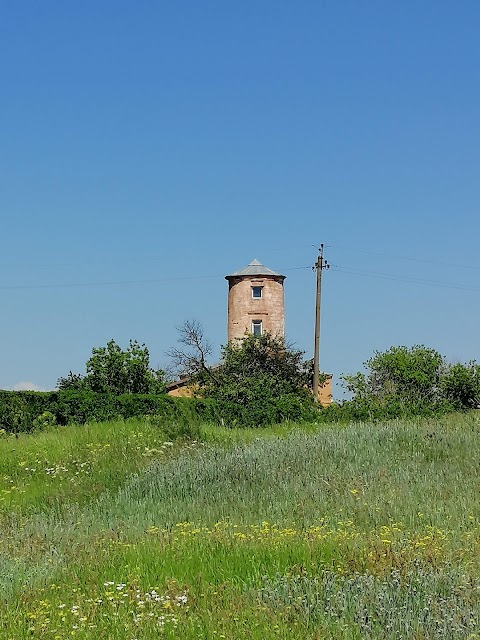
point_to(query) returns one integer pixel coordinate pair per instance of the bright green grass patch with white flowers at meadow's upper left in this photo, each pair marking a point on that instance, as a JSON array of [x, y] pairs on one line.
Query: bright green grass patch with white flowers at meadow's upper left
[[71, 465]]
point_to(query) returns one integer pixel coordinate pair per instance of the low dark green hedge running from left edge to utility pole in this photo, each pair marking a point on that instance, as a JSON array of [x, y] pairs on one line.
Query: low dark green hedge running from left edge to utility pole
[[22, 411]]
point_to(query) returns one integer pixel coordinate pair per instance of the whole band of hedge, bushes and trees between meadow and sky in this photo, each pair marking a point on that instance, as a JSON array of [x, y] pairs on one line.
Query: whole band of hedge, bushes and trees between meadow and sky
[[260, 381]]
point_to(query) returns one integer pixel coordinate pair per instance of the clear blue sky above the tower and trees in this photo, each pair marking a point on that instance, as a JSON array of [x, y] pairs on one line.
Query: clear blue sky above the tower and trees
[[148, 149]]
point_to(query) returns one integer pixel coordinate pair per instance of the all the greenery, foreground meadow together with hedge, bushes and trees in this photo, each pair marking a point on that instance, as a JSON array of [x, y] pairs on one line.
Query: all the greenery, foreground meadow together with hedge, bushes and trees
[[161, 523]]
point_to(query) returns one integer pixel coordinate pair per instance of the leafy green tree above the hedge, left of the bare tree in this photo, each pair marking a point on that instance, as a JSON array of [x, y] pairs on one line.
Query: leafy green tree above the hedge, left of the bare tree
[[113, 370]]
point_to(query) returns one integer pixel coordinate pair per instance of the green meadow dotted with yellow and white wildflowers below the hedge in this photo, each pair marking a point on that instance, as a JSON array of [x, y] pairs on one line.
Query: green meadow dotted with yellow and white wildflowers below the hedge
[[111, 531]]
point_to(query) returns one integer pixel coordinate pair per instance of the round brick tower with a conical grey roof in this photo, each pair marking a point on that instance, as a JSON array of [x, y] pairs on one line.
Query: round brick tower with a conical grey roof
[[255, 302]]
